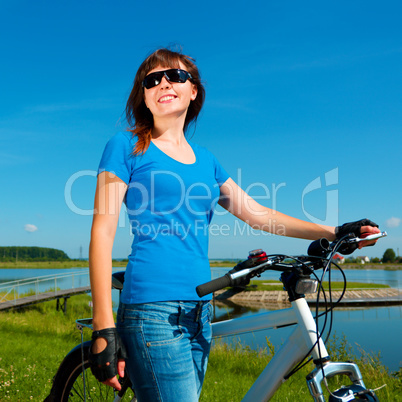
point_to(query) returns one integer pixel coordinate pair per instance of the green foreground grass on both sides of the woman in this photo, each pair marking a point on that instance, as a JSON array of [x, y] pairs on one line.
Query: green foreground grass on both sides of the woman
[[35, 340]]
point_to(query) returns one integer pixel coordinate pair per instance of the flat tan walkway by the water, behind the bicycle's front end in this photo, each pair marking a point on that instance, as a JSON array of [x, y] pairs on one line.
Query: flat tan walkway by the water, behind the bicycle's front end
[[360, 297]]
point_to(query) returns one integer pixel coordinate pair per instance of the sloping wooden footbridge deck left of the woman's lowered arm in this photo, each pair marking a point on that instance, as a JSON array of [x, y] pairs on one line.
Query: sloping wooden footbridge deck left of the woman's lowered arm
[[42, 297]]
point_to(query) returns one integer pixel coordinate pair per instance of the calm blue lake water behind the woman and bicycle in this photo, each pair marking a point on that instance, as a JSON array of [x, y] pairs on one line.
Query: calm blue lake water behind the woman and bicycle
[[375, 329]]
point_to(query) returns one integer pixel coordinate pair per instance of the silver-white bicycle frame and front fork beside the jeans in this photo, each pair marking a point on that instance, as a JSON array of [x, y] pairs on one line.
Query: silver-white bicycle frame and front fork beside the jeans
[[302, 339]]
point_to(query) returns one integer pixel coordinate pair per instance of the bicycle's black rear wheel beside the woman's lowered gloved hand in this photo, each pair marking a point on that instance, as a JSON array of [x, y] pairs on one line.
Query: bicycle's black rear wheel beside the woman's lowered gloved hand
[[68, 384]]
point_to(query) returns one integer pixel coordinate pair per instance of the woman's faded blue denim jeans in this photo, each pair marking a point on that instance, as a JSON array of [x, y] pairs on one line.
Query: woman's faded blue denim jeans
[[168, 345]]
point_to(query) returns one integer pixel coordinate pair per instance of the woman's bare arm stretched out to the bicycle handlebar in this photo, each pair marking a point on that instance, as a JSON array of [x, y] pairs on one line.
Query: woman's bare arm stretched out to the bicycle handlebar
[[244, 207]]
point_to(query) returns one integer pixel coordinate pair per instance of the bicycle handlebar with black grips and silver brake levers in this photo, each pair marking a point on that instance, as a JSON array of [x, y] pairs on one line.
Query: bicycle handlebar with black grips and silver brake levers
[[253, 266]]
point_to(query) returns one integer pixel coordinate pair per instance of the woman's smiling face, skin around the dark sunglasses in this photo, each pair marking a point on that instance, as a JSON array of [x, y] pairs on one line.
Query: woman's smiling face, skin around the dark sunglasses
[[169, 99]]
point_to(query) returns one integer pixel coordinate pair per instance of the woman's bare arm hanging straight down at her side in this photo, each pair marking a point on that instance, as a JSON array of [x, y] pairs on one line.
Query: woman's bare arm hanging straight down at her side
[[110, 192]]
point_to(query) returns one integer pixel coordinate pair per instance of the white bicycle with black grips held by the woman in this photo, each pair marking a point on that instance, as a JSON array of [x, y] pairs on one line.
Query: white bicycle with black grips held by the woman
[[74, 381]]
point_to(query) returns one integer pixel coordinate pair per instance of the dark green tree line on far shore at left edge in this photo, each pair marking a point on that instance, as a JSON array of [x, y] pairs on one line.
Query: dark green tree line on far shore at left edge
[[14, 253]]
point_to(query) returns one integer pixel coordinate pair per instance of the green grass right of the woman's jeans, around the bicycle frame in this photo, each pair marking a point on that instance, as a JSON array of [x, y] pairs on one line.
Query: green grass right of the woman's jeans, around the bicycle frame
[[232, 371]]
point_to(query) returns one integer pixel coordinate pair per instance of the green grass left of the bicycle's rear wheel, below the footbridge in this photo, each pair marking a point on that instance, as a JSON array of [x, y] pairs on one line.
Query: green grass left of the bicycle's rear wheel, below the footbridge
[[34, 341]]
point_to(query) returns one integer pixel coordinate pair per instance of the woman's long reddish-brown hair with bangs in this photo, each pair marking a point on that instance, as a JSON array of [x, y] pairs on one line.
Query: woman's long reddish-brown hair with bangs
[[138, 116]]
